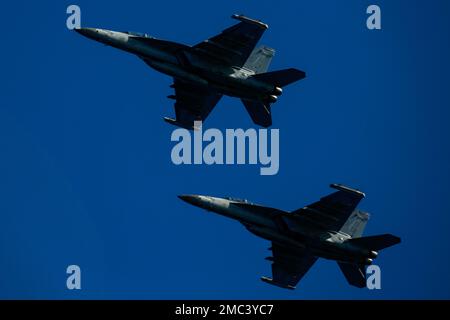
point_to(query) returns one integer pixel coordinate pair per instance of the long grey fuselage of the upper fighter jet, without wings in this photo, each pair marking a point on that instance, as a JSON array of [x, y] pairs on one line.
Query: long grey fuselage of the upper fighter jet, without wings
[[181, 62]]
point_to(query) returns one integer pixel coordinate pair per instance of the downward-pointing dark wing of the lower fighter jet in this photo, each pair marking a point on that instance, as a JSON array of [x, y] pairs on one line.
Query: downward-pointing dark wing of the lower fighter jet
[[288, 266]]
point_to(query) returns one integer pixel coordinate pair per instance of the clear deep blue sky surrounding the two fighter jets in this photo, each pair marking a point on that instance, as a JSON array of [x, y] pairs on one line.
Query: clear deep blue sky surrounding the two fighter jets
[[85, 170]]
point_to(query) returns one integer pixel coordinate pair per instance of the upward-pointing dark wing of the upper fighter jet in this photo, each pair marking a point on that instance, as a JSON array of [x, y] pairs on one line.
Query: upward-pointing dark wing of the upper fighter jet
[[234, 45]]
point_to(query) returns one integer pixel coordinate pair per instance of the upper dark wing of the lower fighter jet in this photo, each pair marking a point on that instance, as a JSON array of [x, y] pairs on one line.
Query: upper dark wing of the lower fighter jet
[[331, 212]]
